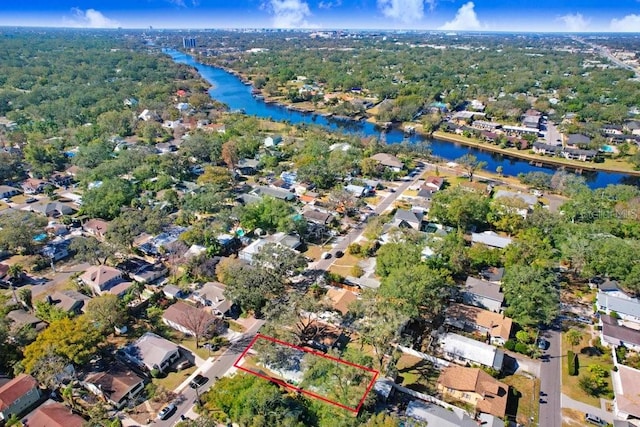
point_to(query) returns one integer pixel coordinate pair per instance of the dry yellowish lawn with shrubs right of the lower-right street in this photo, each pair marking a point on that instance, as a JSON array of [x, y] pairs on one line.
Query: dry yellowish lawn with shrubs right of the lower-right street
[[587, 355]]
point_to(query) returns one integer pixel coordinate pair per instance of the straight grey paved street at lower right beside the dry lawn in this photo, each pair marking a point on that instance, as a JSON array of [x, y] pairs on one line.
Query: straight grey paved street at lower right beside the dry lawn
[[550, 377]]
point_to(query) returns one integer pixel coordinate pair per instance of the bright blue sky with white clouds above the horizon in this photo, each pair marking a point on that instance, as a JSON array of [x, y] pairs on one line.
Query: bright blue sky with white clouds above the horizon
[[453, 15]]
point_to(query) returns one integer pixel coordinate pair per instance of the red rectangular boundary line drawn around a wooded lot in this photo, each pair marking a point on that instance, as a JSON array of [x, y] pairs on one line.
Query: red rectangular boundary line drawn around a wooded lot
[[298, 389]]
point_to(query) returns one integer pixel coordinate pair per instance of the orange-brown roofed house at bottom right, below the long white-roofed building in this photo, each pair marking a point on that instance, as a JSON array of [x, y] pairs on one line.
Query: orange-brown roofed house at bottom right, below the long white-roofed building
[[475, 387]]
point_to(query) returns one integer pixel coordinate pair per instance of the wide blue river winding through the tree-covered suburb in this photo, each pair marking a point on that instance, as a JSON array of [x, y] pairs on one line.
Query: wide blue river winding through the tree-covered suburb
[[229, 89]]
